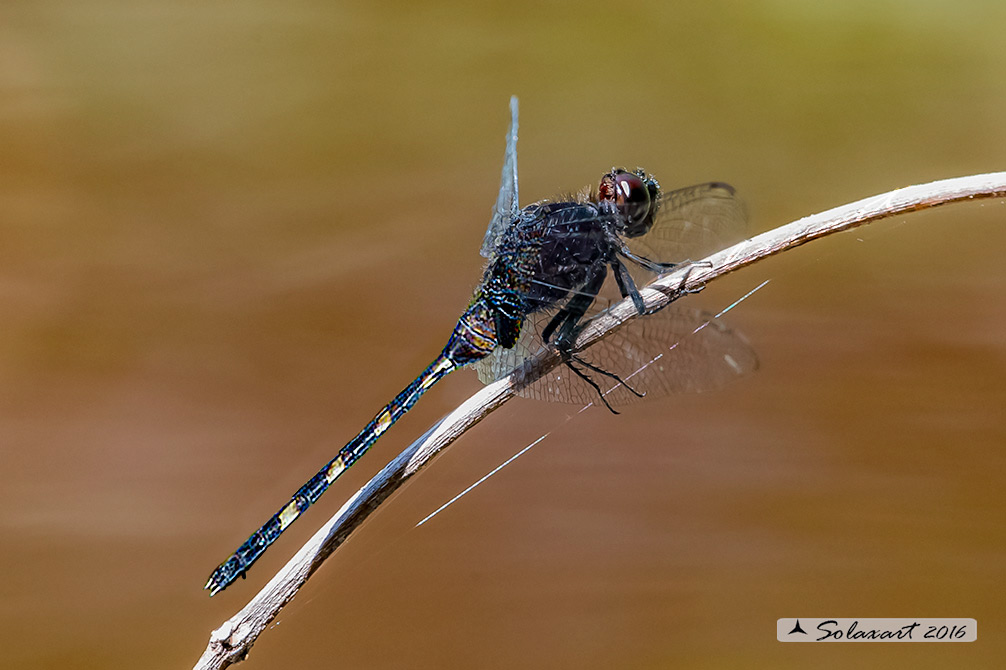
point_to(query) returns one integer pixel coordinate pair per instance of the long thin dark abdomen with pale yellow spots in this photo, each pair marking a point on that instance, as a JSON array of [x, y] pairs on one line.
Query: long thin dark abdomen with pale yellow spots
[[257, 545]]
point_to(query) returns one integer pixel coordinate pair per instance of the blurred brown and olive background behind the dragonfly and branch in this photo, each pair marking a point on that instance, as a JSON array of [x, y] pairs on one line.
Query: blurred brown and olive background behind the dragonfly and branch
[[230, 233]]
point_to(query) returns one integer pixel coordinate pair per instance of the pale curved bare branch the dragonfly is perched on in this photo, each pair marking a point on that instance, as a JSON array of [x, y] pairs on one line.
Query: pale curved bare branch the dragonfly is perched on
[[232, 642]]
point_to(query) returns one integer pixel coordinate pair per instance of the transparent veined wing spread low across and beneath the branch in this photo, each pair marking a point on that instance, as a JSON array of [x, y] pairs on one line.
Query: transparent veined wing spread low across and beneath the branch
[[677, 351]]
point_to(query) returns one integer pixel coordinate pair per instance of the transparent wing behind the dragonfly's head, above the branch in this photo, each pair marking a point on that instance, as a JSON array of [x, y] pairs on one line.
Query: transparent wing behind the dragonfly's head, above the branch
[[694, 223]]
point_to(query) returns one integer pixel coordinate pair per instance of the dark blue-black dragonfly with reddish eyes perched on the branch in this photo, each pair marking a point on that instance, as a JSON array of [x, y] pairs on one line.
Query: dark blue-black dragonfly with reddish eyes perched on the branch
[[547, 267]]
